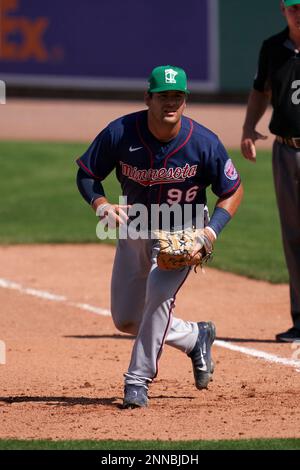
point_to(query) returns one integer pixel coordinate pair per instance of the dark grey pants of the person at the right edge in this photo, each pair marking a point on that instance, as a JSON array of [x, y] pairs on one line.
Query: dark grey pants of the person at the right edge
[[286, 171]]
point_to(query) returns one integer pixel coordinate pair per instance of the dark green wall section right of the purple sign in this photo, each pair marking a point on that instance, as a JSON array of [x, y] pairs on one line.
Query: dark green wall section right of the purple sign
[[243, 27]]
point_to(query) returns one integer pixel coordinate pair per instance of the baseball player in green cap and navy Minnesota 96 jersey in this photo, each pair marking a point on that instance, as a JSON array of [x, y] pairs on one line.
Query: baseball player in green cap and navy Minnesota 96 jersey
[[160, 157]]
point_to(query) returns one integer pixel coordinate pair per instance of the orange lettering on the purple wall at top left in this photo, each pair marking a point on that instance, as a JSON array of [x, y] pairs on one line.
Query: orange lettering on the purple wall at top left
[[30, 31]]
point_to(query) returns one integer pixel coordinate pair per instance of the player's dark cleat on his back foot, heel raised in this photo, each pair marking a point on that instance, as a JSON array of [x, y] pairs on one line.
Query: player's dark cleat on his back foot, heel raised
[[203, 365]]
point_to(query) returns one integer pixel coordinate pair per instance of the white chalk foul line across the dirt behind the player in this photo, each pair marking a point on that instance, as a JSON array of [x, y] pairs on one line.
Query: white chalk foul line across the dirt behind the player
[[5, 284]]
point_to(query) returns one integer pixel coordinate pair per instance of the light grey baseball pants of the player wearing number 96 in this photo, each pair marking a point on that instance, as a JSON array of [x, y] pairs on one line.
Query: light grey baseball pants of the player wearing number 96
[[142, 301]]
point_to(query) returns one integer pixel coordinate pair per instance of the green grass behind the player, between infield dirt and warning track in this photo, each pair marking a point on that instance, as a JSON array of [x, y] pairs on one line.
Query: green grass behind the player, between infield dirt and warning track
[[41, 204]]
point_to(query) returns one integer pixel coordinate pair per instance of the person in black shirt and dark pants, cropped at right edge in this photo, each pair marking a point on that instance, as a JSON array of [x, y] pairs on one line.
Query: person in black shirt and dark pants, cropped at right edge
[[278, 81]]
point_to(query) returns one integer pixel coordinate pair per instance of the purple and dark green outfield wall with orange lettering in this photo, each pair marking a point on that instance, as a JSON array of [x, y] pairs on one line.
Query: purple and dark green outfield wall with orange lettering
[[114, 44]]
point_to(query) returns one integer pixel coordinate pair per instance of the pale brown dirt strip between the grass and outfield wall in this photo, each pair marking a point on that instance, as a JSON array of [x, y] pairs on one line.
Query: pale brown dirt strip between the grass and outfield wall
[[82, 120]]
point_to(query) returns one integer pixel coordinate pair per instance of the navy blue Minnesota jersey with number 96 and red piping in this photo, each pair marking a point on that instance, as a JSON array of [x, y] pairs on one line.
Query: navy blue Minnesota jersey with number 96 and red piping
[[154, 172]]
